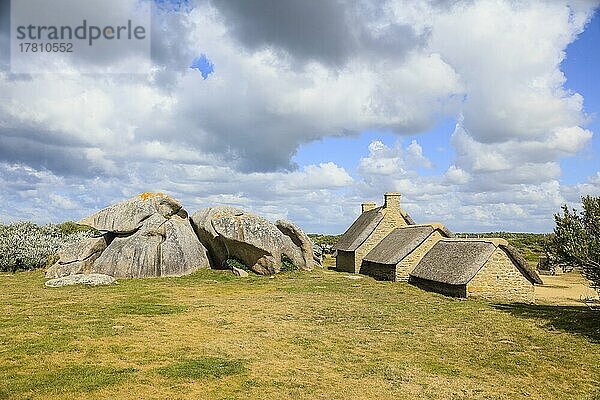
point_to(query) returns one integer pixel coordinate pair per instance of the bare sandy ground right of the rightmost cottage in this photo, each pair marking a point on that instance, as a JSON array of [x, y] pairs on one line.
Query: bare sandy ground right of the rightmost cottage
[[564, 289]]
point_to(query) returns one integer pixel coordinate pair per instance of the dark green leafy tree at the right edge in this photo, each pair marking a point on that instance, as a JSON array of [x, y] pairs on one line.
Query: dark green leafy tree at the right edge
[[576, 239]]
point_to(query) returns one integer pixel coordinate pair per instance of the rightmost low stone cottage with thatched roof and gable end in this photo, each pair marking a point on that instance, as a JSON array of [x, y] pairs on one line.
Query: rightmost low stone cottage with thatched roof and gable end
[[486, 268]]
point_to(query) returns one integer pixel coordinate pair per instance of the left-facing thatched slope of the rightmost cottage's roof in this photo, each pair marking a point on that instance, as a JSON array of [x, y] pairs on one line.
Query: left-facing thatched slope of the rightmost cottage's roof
[[454, 262]]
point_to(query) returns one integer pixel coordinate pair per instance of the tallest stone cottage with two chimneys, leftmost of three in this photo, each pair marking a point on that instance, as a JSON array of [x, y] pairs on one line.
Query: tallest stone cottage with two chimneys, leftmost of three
[[371, 227]]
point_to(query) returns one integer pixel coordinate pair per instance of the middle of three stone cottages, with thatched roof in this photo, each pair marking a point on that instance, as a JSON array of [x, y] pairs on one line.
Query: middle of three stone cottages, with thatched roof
[[400, 251]]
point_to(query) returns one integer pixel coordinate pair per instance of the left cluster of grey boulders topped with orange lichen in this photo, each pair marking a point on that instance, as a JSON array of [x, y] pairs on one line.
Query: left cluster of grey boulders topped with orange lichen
[[149, 235]]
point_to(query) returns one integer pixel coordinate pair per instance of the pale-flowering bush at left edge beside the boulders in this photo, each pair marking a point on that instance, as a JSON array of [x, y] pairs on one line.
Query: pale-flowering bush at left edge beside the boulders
[[26, 246]]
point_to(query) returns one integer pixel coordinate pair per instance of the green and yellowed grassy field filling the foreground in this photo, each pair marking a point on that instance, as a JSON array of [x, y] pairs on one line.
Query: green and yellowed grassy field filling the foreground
[[296, 336]]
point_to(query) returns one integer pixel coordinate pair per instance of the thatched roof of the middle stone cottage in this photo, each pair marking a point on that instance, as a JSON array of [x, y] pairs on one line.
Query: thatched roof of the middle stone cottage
[[401, 242]]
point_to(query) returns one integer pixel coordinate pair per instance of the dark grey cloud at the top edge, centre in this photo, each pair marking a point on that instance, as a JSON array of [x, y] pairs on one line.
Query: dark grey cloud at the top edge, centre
[[330, 31]]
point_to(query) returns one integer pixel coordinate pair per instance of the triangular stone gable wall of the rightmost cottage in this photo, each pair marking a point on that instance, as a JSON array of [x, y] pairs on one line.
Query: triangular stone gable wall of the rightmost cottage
[[499, 279]]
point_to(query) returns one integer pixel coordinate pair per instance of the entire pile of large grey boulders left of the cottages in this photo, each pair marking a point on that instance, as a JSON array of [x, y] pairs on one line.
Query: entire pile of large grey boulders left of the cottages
[[151, 235]]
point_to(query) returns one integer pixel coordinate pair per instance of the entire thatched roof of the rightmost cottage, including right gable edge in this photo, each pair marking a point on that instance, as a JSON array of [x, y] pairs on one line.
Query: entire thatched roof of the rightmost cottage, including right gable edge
[[457, 261]]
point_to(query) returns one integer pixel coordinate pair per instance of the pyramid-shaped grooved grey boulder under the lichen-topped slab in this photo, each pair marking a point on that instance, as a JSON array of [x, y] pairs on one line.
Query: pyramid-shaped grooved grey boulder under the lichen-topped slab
[[161, 247]]
